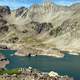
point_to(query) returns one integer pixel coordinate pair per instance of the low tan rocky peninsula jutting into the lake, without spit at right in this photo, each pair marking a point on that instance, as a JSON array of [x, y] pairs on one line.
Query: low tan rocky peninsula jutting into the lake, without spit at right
[[39, 51]]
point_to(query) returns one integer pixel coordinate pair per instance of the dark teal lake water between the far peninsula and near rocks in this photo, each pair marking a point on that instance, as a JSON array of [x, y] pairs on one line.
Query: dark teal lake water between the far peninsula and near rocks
[[69, 65]]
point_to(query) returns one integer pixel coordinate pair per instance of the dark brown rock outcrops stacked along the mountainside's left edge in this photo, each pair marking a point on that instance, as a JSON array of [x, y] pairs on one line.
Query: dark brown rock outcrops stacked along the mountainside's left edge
[[4, 11]]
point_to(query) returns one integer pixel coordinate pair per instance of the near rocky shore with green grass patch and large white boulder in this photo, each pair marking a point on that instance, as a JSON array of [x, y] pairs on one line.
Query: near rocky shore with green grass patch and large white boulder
[[32, 74]]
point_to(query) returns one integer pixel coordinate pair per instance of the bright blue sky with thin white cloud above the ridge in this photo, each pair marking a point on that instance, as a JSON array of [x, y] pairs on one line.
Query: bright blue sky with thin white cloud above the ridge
[[13, 4]]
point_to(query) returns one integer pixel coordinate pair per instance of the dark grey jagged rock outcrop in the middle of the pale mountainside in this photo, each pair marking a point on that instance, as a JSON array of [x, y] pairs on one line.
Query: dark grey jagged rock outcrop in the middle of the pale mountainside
[[40, 27]]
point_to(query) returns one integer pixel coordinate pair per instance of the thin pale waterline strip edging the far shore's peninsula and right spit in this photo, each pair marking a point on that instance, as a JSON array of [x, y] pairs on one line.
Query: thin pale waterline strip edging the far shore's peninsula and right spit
[[51, 55]]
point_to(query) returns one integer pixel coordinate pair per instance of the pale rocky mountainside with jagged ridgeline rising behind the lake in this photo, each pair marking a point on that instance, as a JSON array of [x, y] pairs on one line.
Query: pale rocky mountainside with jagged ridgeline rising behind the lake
[[45, 24]]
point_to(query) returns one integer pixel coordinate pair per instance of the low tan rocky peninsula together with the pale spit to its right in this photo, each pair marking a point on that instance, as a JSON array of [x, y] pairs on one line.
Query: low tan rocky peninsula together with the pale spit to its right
[[52, 52]]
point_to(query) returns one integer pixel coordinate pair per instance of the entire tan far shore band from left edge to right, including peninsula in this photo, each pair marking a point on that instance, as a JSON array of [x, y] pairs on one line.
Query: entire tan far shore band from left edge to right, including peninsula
[[24, 50]]
